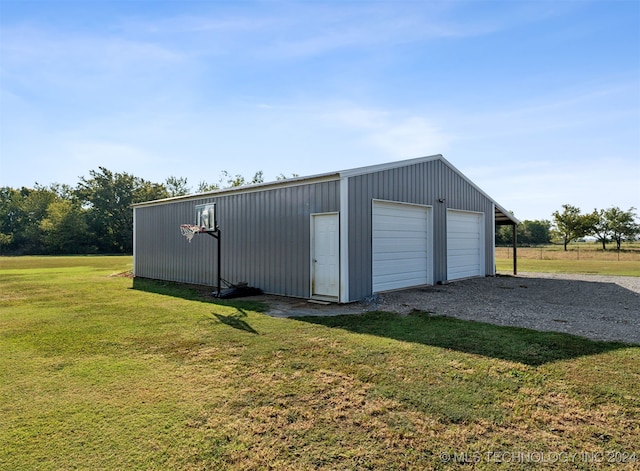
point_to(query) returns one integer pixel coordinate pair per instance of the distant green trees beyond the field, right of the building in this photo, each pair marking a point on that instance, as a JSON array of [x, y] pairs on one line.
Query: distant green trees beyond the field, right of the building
[[570, 224]]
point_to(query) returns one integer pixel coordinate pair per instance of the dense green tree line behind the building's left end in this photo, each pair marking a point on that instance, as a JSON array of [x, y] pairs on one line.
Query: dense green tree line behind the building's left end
[[94, 217]]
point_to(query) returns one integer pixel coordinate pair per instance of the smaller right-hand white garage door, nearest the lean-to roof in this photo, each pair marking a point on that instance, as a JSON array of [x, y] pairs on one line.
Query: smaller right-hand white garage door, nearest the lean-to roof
[[465, 244]]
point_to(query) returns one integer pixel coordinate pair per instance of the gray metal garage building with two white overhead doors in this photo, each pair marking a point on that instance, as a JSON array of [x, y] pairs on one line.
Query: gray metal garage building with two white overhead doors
[[338, 236]]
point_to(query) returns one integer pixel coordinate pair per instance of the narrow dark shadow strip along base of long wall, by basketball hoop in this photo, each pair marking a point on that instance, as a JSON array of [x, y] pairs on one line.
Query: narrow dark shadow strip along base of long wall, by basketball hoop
[[195, 293]]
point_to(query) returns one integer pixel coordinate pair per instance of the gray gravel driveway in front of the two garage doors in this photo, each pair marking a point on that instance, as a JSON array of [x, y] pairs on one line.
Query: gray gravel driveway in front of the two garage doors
[[593, 306]]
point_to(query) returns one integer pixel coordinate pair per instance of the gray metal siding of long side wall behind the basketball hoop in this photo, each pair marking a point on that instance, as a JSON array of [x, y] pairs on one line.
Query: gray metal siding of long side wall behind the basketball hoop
[[265, 238]]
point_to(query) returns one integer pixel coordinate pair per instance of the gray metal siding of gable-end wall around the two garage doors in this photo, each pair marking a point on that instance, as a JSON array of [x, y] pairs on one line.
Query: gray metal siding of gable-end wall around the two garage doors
[[422, 183]]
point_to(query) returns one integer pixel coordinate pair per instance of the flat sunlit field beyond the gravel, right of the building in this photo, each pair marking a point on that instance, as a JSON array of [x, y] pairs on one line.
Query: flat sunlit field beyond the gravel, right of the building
[[579, 258]]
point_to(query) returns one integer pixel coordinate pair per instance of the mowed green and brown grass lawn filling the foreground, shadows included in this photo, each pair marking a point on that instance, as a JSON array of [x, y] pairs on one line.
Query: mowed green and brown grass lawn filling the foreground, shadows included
[[99, 372]]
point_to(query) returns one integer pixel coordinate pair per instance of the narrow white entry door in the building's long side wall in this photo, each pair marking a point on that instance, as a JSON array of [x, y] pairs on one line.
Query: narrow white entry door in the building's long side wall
[[325, 256]]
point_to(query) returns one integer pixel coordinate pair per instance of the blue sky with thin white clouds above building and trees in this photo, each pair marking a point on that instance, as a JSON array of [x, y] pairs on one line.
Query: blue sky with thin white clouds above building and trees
[[538, 102]]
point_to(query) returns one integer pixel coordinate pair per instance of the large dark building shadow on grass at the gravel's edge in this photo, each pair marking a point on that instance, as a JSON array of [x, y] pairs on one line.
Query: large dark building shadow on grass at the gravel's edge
[[516, 344]]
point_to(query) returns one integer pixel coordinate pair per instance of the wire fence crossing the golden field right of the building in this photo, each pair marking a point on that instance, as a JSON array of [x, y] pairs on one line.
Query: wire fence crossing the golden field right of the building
[[574, 252]]
